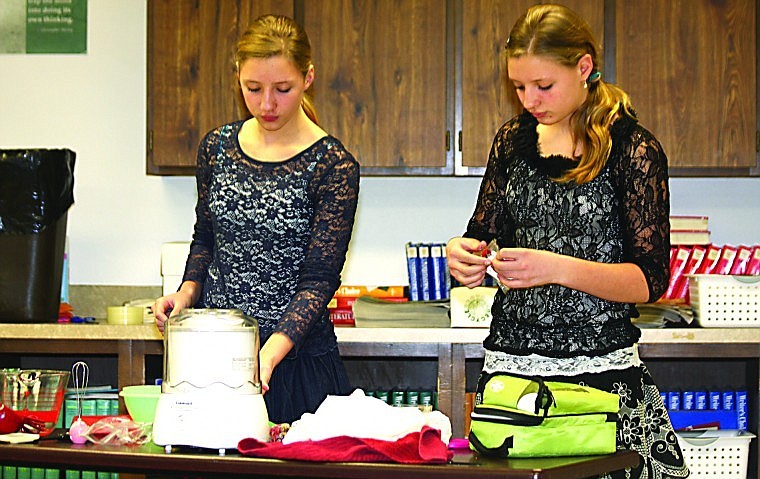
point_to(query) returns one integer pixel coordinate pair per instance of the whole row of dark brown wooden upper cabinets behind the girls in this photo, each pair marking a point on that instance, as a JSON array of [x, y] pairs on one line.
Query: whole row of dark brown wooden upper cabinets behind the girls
[[418, 87]]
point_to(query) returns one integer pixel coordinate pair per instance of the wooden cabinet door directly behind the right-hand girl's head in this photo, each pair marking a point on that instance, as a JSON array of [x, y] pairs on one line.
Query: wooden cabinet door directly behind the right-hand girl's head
[[487, 100]]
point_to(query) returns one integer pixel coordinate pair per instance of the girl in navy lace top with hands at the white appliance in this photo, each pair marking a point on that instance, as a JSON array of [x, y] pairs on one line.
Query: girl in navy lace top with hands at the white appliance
[[276, 202]]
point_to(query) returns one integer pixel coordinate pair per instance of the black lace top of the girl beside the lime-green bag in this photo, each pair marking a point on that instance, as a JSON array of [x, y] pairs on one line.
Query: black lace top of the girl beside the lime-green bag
[[620, 216]]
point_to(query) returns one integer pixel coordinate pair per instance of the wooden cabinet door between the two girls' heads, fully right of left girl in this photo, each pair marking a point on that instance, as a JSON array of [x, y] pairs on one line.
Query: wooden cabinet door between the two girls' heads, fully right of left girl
[[381, 78]]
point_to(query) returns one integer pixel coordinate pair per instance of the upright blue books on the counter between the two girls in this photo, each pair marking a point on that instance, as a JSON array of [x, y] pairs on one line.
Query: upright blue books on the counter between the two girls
[[428, 270]]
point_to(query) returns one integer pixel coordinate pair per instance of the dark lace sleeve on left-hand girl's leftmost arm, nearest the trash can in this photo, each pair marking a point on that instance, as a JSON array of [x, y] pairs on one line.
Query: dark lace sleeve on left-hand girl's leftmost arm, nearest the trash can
[[202, 245]]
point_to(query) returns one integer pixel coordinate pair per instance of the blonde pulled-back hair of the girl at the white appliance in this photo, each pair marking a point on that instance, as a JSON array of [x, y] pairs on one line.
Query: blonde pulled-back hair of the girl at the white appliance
[[273, 35]]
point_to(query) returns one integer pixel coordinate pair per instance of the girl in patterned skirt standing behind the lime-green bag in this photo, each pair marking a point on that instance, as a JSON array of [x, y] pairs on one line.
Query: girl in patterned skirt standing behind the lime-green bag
[[574, 206]]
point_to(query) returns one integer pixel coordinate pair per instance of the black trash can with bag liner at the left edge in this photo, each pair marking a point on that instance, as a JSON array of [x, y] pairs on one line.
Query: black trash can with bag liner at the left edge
[[36, 191]]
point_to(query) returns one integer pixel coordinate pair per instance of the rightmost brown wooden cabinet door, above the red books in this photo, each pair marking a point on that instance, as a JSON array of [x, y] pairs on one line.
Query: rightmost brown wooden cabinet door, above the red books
[[690, 68]]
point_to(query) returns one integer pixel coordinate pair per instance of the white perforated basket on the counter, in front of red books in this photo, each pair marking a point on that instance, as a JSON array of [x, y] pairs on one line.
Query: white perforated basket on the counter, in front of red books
[[725, 301]]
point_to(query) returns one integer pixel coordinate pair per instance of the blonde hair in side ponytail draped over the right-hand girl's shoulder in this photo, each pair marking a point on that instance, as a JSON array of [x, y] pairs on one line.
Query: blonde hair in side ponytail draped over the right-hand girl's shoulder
[[557, 33]]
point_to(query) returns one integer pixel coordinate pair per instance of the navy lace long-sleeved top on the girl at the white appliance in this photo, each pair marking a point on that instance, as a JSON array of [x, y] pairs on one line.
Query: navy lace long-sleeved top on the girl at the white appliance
[[271, 237]]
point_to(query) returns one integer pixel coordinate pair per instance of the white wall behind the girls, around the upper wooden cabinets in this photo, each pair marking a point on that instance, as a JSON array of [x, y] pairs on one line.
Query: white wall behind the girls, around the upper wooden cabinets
[[95, 105]]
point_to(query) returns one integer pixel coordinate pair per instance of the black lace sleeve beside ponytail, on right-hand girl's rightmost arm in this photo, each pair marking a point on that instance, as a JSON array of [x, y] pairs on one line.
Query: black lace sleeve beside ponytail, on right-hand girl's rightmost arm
[[640, 168]]
